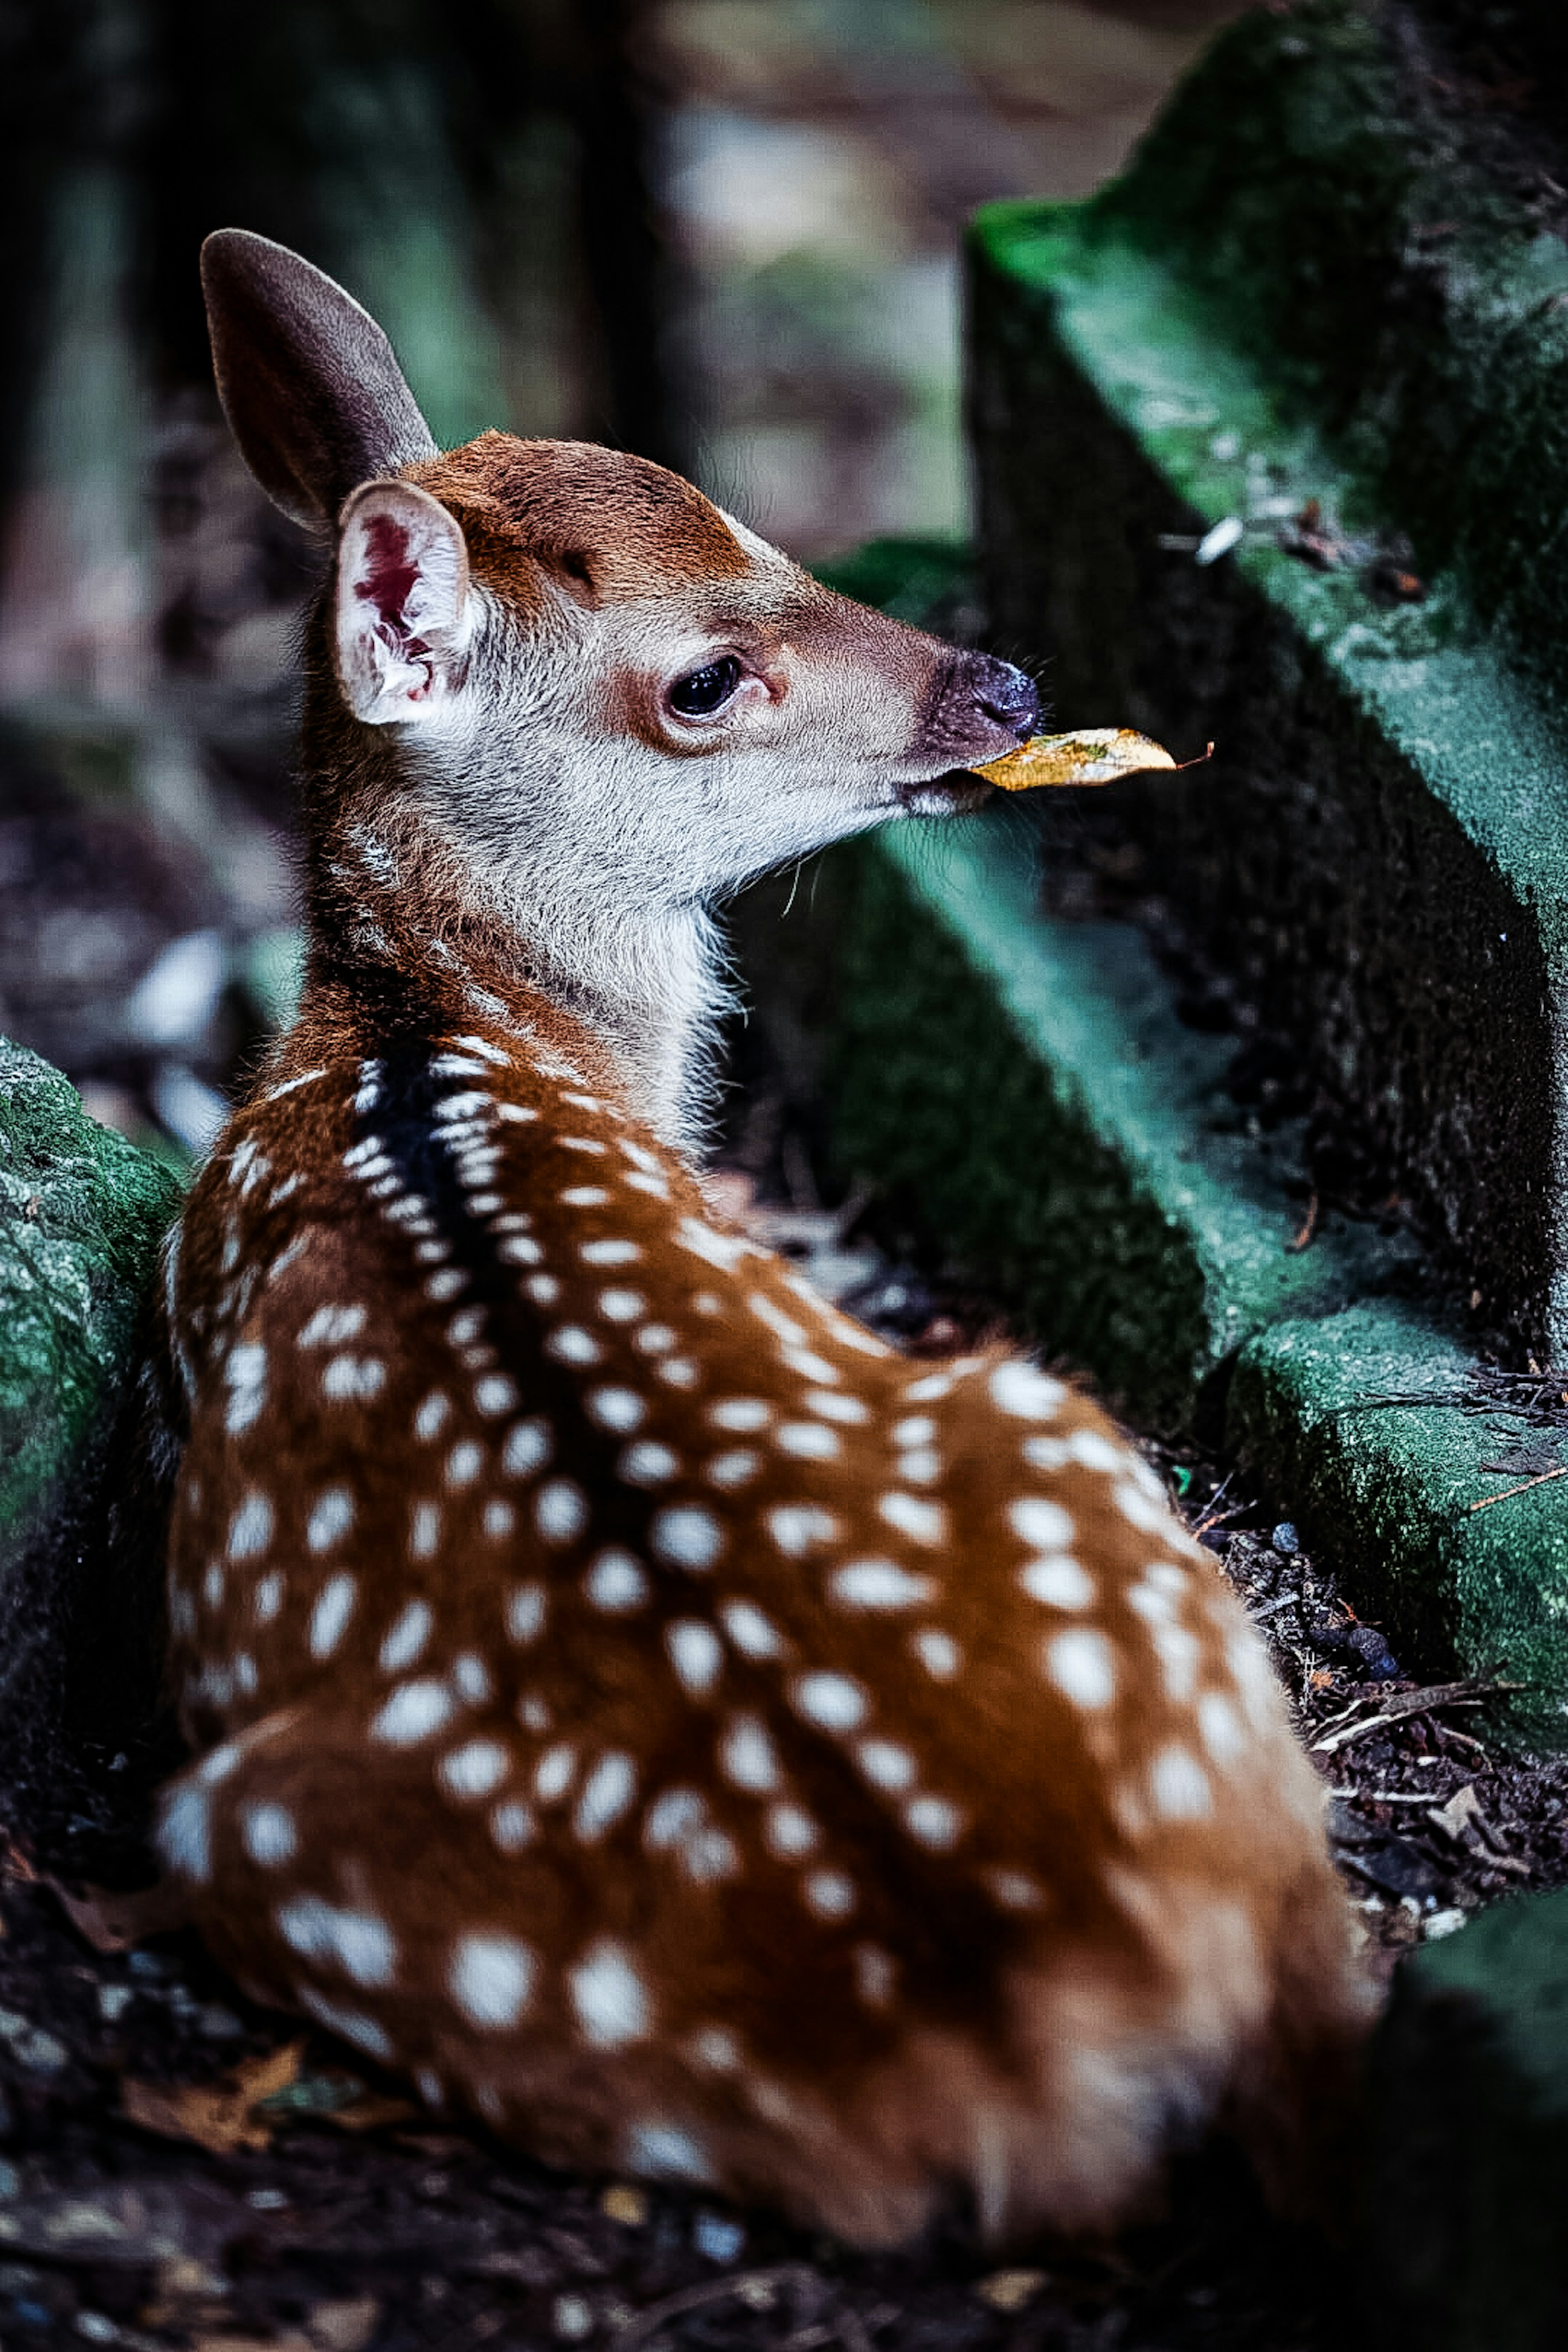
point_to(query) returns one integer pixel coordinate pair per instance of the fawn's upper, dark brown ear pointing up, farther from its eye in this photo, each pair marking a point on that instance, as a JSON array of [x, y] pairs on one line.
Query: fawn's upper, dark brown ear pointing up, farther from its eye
[[307, 377]]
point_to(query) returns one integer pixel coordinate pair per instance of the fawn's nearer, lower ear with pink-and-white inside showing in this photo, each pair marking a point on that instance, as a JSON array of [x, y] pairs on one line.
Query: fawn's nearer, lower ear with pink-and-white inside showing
[[403, 606]]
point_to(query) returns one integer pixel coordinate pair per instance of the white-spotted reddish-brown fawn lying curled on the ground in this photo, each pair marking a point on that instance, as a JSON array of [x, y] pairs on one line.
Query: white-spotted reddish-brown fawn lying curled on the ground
[[626, 1695]]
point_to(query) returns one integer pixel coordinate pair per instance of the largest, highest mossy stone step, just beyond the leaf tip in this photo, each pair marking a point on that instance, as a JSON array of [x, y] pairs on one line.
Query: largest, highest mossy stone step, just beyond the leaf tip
[[1308, 295]]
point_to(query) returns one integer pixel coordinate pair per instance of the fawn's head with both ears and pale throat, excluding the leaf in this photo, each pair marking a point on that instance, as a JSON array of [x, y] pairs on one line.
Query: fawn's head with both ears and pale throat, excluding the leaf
[[579, 697]]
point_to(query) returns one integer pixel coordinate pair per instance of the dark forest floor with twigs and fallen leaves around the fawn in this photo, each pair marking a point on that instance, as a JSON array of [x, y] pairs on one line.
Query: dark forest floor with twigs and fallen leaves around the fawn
[[185, 2170]]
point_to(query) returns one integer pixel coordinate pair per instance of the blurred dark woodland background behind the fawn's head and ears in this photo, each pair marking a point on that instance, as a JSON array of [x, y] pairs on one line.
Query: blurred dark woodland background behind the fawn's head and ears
[[723, 234]]
